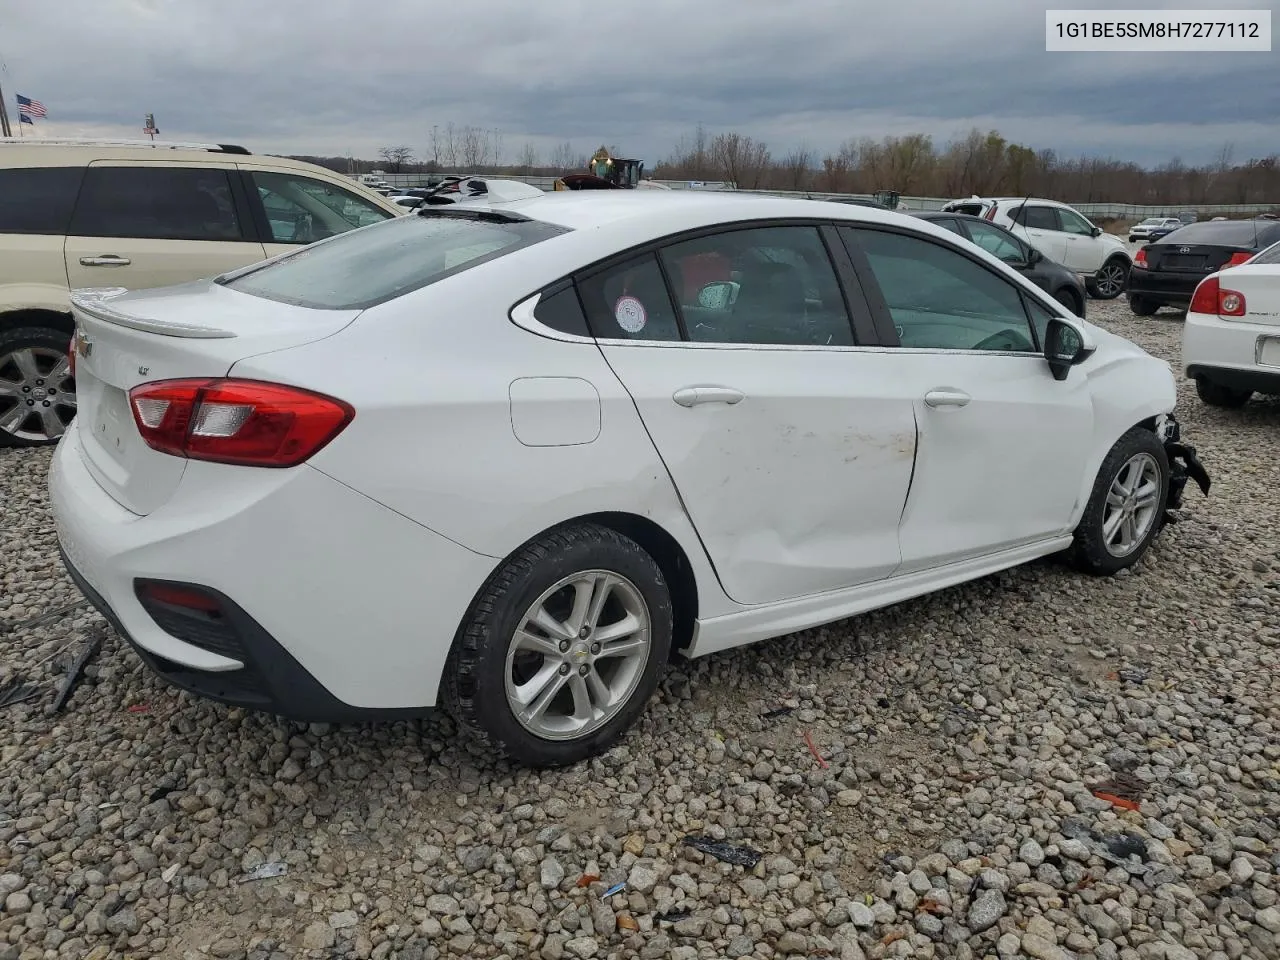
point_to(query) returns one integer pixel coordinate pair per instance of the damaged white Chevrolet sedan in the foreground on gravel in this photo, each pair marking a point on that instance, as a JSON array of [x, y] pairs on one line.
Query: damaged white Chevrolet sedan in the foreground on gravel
[[510, 459]]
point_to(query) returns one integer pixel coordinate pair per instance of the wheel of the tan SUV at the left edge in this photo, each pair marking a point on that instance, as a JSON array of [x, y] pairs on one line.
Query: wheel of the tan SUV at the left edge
[[28, 355]]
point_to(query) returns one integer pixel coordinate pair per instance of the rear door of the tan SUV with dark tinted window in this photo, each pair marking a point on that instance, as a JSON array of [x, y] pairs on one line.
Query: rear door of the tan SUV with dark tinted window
[[143, 223]]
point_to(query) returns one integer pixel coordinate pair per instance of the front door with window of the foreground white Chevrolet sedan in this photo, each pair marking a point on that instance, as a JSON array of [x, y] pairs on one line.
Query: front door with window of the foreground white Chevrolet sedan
[[1002, 442]]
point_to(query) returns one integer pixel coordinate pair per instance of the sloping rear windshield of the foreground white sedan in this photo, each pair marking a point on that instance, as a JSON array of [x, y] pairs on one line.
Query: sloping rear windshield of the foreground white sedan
[[374, 264]]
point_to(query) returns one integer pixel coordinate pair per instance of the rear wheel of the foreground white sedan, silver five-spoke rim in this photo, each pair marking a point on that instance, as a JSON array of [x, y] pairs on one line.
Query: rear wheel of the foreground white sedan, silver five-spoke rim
[[499, 648]]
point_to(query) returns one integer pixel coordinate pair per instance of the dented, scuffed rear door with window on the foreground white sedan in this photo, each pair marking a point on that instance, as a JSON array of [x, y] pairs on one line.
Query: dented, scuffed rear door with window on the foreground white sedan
[[792, 449]]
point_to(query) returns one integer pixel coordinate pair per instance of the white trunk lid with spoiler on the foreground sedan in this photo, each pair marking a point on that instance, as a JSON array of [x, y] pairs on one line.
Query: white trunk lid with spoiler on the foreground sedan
[[194, 330]]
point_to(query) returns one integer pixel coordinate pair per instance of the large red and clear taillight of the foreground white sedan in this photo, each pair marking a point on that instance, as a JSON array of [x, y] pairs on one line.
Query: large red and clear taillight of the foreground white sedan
[[237, 422]]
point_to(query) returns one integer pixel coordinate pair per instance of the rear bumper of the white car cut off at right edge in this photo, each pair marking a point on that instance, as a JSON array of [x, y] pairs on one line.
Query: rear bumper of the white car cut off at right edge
[[1232, 354]]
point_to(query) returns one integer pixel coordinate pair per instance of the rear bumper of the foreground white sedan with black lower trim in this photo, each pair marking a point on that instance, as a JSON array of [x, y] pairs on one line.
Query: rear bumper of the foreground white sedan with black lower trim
[[335, 607]]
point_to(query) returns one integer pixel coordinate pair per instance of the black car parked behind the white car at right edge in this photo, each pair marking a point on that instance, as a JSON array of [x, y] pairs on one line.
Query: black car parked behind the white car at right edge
[[1168, 272]]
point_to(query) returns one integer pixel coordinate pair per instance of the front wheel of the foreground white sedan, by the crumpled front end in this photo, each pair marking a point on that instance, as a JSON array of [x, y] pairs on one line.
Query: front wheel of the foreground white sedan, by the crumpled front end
[[1133, 464]]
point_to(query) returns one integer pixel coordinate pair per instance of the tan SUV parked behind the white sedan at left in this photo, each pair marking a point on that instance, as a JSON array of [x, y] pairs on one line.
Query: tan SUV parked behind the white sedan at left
[[136, 214]]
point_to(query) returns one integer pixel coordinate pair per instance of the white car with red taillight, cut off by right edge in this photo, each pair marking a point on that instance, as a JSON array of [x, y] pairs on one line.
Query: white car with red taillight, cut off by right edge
[[1232, 333]]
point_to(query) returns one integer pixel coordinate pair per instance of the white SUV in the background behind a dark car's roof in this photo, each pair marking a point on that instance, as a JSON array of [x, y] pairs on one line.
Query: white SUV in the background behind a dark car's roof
[[1060, 234]]
